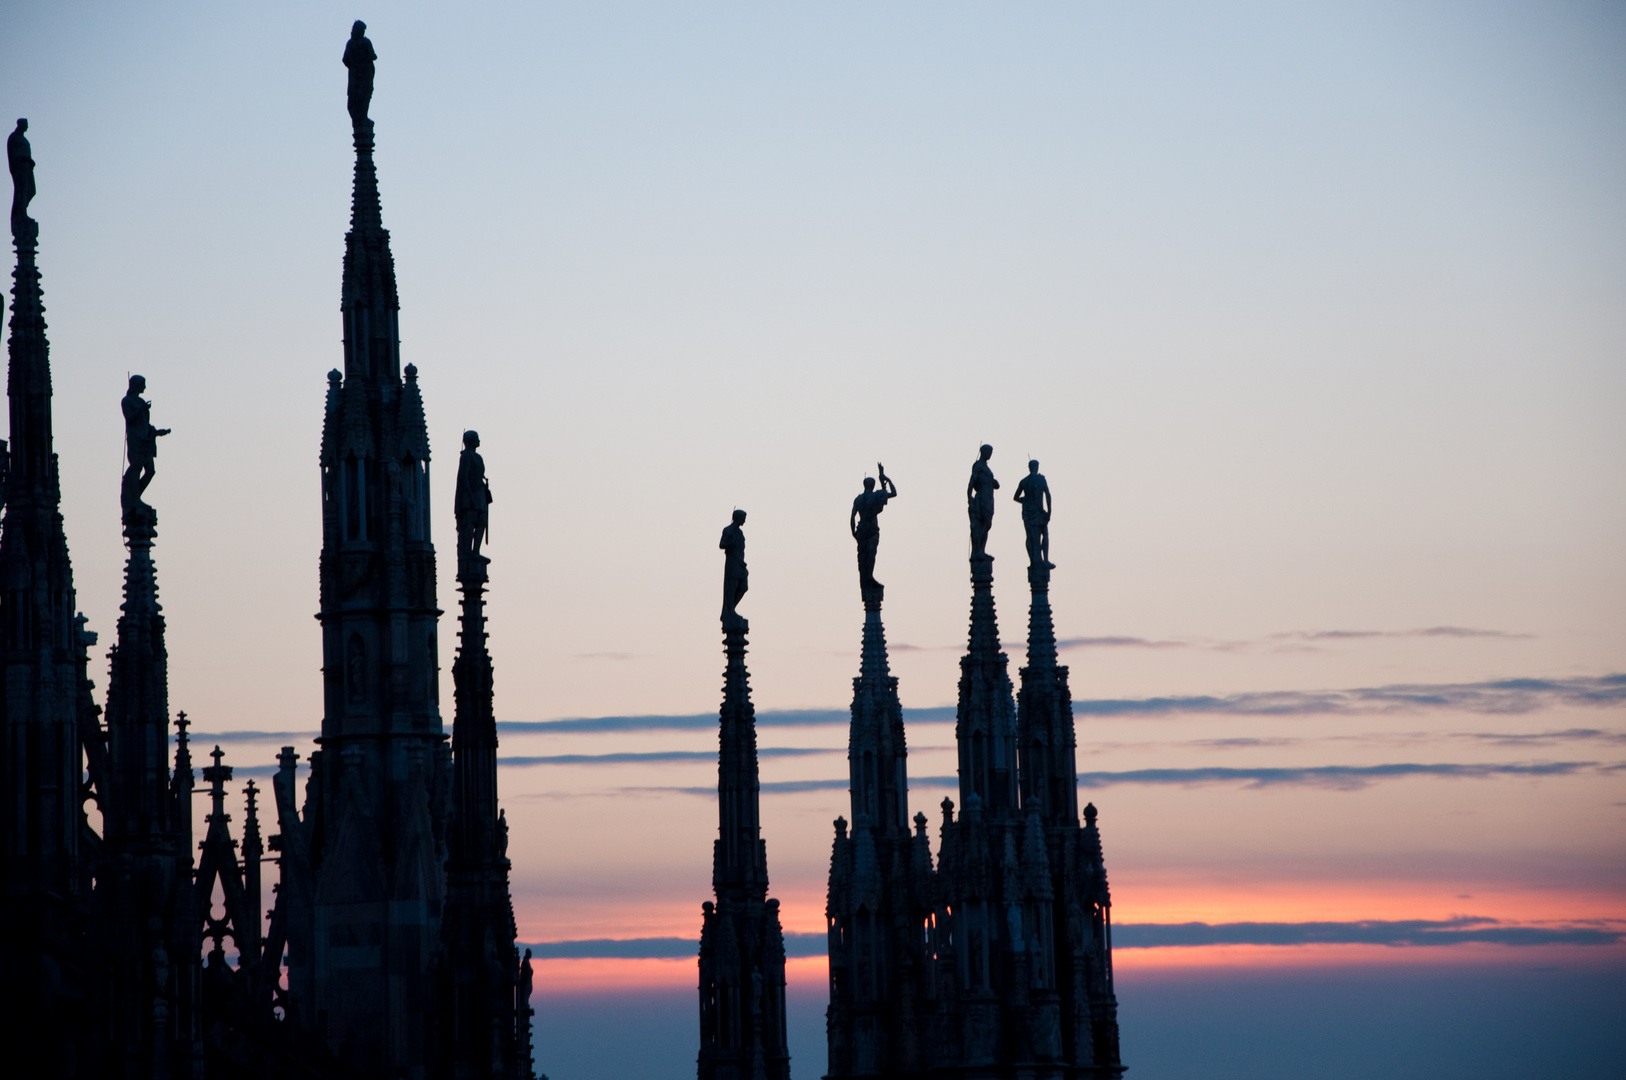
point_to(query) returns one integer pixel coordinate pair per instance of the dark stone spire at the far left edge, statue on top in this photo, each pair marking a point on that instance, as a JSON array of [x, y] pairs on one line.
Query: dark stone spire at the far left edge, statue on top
[[45, 689]]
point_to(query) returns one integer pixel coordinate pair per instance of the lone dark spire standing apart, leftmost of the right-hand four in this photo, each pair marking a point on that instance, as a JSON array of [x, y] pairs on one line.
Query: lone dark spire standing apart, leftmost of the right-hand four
[[742, 946]]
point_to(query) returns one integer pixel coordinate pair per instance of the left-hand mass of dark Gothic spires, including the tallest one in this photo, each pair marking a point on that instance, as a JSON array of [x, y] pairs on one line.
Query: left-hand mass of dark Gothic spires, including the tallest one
[[391, 946]]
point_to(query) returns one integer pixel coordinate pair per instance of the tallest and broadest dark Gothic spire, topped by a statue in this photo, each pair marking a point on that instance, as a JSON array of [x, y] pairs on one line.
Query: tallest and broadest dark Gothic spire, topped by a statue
[[370, 847]]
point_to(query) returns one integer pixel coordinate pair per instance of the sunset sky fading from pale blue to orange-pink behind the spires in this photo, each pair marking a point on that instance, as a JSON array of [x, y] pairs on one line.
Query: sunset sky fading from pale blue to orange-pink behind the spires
[[1311, 315]]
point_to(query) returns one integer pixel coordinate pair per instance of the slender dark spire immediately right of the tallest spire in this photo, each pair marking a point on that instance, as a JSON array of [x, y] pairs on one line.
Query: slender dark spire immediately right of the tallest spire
[[487, 1022]]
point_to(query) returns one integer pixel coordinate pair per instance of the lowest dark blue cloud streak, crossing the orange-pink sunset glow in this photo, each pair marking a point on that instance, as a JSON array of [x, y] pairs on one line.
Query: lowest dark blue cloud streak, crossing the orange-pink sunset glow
[[1396, 933]]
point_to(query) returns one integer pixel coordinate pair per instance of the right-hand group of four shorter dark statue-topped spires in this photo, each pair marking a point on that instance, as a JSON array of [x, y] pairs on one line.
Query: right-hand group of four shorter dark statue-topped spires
[[994, 964]]
